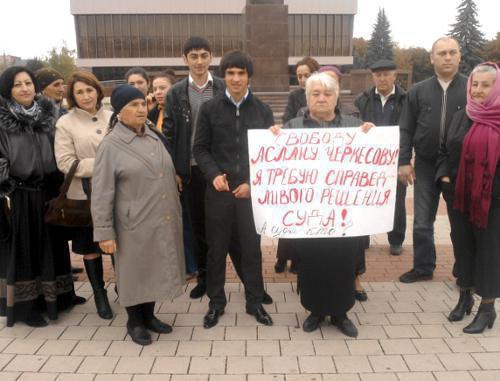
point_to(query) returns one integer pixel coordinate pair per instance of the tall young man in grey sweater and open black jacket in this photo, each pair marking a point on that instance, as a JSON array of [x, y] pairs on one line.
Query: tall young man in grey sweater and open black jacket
[[182, 107]]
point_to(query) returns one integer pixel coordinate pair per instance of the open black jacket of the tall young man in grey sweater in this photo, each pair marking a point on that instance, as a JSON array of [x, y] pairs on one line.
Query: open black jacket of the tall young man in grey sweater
[[177, 124]]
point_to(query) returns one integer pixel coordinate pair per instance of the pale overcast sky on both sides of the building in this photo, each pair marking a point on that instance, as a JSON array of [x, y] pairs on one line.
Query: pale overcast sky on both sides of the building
[[30, 28]]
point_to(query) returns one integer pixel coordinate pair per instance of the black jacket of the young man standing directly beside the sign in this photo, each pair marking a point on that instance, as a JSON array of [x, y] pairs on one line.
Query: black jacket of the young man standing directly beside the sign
[[221, 142]]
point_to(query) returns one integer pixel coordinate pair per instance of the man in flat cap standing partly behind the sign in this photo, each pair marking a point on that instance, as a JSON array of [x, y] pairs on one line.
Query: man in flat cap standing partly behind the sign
[[382, 105]]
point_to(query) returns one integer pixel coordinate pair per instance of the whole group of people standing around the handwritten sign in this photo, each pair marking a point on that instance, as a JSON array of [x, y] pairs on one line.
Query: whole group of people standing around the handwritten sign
[[167, 173]]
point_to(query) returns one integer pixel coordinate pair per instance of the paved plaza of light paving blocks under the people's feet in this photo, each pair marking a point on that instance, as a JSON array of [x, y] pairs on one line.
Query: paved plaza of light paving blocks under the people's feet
[[403, 335]]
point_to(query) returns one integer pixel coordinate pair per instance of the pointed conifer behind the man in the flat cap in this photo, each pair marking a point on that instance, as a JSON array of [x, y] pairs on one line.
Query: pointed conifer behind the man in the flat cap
[[380, 45]]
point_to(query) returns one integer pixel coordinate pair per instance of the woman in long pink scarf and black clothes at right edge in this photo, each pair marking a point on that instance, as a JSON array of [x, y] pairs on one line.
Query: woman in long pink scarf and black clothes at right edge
[[468, 170]]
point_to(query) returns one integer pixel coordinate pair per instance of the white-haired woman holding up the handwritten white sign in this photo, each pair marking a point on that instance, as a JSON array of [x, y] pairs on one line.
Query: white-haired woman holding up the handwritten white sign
[[327, 265]]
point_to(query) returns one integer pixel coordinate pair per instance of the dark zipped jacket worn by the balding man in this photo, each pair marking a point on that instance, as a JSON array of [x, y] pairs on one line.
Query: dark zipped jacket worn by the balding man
[[427, 112]]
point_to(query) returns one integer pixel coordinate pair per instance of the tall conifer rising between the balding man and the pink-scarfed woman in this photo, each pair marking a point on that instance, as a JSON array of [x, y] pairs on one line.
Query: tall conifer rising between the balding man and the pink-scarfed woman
[[470, 38]]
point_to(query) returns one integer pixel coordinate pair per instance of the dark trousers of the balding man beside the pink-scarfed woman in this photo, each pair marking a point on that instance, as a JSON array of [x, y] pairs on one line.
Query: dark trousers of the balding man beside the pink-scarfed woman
[[425, 205]]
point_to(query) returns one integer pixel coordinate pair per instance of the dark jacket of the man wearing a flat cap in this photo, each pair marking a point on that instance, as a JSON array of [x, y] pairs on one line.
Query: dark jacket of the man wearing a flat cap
[[366, 104]]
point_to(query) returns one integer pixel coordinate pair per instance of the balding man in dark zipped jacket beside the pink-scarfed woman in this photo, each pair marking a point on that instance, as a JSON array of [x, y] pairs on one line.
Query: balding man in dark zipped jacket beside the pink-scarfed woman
[[428, 110]]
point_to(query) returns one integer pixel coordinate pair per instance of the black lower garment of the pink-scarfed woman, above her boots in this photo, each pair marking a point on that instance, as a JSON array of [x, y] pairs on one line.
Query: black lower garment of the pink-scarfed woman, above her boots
[[476, 250]]
